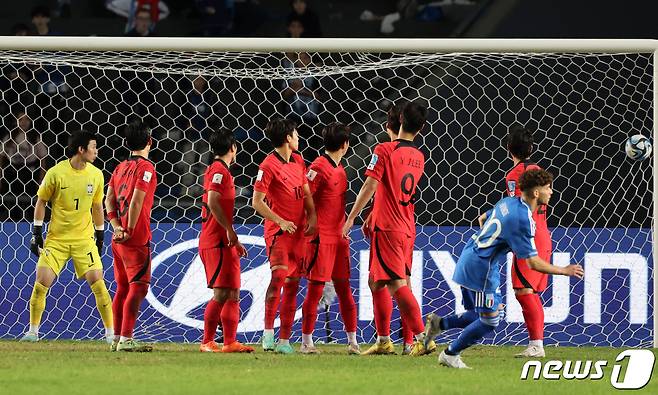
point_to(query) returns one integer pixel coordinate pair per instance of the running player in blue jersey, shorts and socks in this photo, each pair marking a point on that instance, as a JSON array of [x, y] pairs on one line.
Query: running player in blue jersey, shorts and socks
[[508, 227]]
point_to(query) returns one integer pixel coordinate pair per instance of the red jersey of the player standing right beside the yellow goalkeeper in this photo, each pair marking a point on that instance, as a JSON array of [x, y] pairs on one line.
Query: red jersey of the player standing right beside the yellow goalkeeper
[[135, 173]]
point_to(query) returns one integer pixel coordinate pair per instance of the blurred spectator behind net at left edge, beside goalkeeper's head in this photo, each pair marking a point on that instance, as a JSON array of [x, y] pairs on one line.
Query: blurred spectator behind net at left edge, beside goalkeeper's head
[[22, 160]]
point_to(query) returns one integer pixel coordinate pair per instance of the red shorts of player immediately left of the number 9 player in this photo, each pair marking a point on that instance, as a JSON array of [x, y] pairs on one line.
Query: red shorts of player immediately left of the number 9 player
[[327, 261]]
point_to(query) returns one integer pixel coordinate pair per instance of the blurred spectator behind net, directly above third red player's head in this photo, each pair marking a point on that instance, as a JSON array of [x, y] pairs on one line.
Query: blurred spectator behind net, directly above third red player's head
[[300, 92]]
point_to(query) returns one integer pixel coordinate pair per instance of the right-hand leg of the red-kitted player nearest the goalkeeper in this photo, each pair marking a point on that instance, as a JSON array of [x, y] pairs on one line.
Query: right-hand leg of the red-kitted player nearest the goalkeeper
[[137, 261]]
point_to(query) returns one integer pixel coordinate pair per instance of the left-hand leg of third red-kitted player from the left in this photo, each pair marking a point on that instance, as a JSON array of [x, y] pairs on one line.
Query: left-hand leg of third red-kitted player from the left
[[278, 265]]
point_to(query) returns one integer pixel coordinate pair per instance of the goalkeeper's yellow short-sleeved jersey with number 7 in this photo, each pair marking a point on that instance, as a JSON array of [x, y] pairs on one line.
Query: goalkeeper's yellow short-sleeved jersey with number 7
[[71, 193]]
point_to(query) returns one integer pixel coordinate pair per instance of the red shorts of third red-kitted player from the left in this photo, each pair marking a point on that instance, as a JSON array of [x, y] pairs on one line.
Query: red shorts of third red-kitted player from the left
[[284, 249]]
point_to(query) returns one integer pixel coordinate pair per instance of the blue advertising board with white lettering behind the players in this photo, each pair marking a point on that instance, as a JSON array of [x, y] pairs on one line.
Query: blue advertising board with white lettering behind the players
[[611, 306]]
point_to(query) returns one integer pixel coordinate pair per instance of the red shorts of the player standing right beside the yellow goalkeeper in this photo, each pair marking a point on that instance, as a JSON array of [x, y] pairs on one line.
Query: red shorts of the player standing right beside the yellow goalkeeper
[[132, 263]]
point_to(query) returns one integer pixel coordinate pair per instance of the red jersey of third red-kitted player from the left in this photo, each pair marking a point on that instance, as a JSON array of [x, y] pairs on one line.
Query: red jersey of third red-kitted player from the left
[[282, 183]]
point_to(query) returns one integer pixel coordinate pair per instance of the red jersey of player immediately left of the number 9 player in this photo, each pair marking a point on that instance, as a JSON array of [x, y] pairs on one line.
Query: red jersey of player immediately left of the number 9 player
[[328, 183]]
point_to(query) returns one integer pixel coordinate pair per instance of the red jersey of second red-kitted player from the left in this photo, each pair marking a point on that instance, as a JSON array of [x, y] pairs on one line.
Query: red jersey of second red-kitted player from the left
[[217, 178]]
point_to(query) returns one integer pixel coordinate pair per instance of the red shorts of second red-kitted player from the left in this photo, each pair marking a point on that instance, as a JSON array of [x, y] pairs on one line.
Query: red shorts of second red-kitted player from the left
[[222, 267]]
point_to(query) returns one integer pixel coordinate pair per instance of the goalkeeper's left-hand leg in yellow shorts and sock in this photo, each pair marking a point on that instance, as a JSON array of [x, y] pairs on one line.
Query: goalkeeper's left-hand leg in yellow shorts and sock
[[51, 261]]
